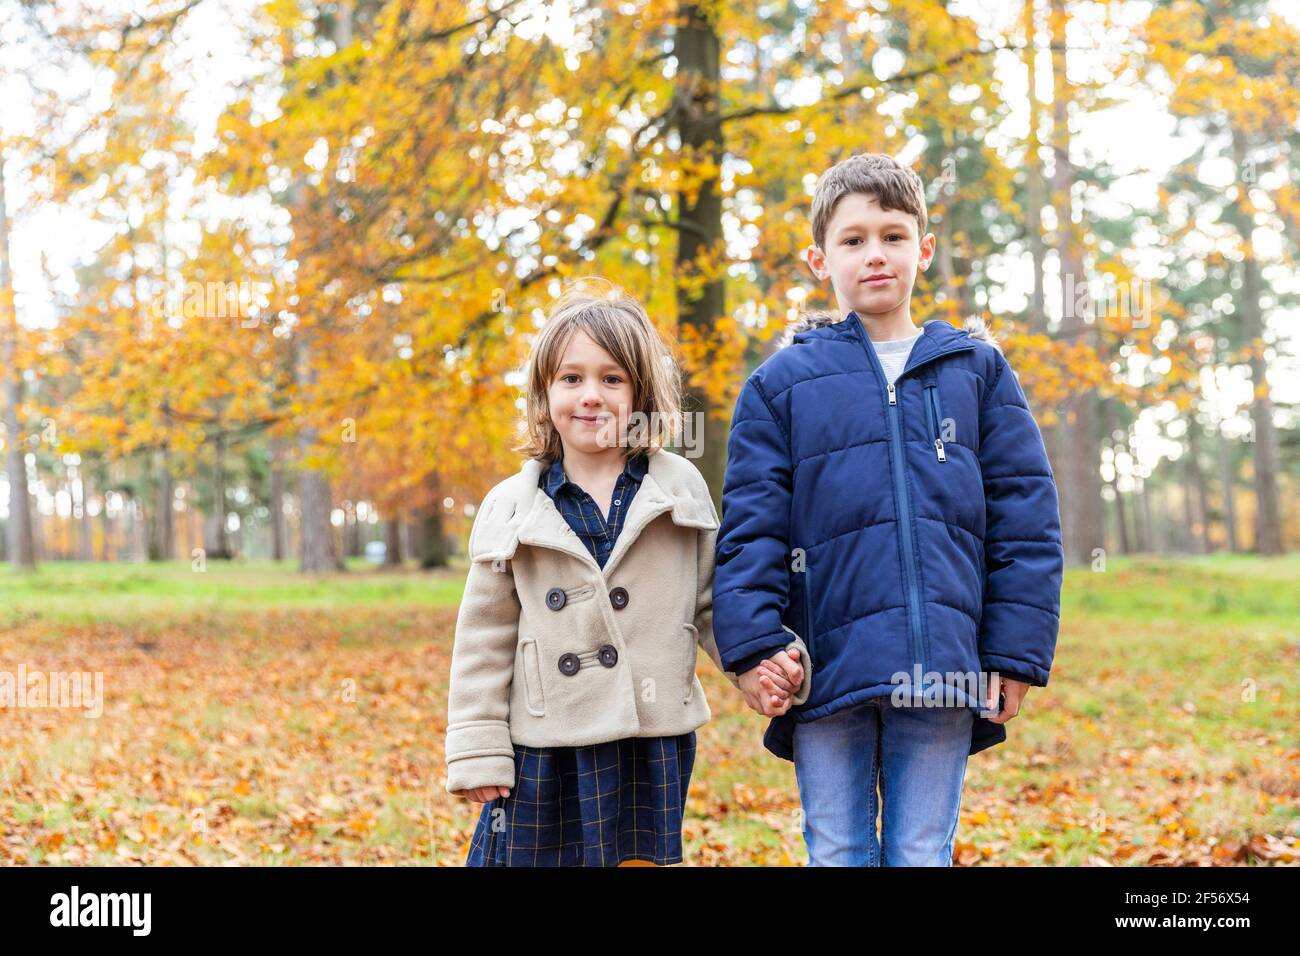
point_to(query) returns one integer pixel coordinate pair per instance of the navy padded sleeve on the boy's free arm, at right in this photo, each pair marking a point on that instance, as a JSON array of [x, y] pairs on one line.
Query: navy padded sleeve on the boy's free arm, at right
[[1022, 540]]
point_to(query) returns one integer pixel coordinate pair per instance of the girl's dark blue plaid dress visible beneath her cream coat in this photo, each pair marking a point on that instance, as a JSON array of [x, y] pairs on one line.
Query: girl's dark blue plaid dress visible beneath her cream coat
[[601, 804]]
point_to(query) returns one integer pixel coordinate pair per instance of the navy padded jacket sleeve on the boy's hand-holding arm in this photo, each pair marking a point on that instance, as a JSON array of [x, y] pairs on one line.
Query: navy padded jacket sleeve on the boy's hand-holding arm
[[752, 577]]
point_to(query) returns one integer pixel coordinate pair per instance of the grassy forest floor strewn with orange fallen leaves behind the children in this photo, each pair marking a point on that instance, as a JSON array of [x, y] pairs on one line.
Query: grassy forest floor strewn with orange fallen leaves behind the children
[[252, 716]]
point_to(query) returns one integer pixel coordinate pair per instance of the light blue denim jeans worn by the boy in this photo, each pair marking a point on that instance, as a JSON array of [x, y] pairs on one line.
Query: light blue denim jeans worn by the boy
[[920, 755]]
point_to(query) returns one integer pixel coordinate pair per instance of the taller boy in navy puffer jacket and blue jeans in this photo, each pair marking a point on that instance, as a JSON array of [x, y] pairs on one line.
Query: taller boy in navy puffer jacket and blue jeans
[[890, 500]]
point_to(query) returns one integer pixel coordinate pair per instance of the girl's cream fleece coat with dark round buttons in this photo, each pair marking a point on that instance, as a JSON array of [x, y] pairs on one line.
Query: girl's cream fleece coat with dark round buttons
[[544, 656]]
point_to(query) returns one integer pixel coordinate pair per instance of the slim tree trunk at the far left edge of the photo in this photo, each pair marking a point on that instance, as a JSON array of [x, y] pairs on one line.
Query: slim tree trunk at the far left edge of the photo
[[21, 540]]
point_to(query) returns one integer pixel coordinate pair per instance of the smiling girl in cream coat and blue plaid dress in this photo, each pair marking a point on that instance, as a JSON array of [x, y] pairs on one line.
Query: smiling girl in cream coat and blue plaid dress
[[574, 698]]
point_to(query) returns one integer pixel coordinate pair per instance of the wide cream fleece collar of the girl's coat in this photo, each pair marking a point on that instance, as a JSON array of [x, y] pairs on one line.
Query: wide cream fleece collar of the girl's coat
[[525, 514]]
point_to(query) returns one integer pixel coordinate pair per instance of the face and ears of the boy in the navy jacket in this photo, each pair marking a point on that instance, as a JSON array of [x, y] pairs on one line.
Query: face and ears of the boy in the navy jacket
[[864, 241]]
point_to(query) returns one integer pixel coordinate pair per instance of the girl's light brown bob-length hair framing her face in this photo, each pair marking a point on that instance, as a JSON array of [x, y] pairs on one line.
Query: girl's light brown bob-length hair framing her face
[[619, 325]]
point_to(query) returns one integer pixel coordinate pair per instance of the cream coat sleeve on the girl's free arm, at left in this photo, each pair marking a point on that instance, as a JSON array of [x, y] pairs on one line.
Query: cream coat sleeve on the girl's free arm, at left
[[479, 750]]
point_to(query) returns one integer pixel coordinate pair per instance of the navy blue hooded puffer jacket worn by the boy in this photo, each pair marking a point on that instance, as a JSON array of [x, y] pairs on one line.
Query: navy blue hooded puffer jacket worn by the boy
[[909, 529]]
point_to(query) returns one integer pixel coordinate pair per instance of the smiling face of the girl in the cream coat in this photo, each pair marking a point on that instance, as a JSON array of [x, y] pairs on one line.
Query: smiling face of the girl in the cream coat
[[590, 397]]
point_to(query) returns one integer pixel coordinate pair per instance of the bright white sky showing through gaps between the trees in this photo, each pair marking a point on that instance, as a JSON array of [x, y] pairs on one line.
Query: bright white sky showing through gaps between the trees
[[215, 37]]
